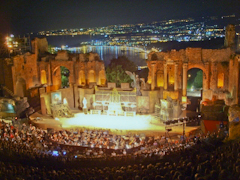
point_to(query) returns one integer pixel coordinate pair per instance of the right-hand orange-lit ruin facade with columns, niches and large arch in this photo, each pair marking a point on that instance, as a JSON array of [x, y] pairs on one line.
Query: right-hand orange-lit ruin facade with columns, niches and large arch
[[168, 72]]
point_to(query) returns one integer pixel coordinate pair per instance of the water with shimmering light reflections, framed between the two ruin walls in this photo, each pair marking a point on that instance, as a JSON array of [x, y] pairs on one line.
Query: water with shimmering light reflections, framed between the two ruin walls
[[106, 53]]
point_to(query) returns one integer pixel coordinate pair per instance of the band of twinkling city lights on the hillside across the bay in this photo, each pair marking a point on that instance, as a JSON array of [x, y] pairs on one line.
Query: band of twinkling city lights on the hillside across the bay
[[194, 30]]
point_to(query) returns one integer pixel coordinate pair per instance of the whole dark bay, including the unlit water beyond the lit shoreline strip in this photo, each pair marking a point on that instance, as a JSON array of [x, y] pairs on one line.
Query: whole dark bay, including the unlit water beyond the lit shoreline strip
[[73, 43]]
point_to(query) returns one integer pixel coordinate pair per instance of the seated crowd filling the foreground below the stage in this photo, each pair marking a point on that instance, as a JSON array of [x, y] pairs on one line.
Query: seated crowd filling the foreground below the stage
[[27, 152]]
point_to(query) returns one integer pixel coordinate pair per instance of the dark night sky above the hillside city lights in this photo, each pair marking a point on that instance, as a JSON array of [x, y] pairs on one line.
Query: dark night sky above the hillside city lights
[[23, 16]]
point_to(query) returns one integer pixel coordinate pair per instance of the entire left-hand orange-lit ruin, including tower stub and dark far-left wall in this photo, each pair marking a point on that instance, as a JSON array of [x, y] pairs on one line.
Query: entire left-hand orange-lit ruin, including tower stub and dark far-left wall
[[34, 74]]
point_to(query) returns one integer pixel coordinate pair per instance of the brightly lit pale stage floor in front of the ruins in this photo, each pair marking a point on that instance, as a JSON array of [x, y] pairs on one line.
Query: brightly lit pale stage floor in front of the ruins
[[147, 124]]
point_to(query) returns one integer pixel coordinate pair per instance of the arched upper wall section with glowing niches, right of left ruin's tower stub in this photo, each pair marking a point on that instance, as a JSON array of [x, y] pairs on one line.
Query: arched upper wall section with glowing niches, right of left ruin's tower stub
[[75, 64]]
